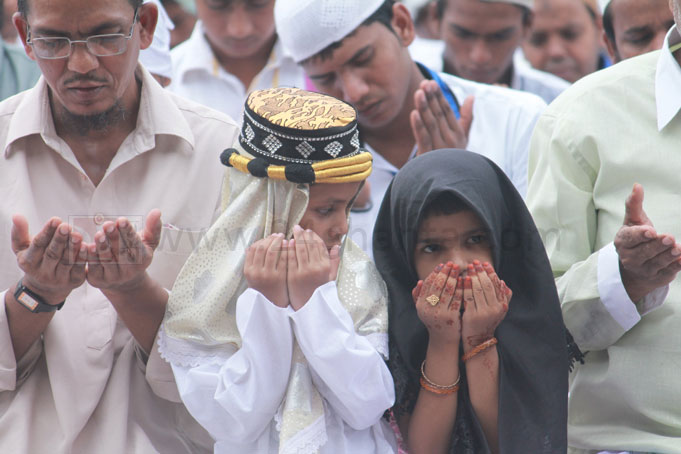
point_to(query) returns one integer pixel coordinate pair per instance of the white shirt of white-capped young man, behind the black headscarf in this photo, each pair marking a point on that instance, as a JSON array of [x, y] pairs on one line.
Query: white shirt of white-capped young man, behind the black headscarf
[[503, 121]]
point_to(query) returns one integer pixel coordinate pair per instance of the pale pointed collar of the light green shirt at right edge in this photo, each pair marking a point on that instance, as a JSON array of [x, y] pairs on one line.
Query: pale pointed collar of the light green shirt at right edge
[[668, 82]]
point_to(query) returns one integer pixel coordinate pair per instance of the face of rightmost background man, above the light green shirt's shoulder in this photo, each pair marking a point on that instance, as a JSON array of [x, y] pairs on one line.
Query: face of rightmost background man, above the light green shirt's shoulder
[[635, 27]]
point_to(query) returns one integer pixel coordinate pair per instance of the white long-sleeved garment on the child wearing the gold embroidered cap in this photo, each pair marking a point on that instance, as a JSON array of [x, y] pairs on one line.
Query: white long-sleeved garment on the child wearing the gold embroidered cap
[[238, 401]]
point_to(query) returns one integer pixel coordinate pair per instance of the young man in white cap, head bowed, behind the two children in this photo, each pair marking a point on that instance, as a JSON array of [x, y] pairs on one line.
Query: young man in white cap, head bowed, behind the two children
[[356, 50]]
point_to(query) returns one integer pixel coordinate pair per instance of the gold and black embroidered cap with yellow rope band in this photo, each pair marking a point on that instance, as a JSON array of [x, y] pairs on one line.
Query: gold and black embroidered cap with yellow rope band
[[300, 136]]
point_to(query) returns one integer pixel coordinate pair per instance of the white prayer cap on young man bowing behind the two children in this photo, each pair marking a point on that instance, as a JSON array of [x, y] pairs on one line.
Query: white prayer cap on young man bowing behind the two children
[[306, 27]]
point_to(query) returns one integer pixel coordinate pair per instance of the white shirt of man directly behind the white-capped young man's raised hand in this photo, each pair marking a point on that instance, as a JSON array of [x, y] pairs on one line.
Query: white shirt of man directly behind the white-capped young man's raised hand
[[525, 78]]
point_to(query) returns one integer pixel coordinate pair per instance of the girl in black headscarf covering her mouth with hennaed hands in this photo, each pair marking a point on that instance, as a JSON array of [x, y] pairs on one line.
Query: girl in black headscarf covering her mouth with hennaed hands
[[456, 211]]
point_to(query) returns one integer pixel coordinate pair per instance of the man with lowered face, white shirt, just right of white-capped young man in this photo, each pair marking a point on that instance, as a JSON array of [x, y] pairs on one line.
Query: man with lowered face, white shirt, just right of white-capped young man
[[480, 38]]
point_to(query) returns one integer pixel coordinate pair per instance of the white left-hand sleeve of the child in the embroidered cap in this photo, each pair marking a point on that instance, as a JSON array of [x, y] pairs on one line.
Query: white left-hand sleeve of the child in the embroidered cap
[[235, 401]]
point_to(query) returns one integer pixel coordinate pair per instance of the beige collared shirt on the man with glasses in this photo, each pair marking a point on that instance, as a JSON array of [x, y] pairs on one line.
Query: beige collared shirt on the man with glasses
[[86, 386]]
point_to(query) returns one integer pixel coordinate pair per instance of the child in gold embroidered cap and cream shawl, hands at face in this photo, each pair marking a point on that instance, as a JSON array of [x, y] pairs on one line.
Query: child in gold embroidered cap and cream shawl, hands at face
[[277, 325]]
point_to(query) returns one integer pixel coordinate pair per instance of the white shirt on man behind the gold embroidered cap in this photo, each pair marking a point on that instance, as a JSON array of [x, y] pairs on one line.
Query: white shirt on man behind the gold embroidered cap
[[197, 75]]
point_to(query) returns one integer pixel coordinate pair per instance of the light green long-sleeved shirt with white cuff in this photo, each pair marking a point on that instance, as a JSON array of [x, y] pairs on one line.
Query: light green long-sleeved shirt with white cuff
[[610, 130]]
